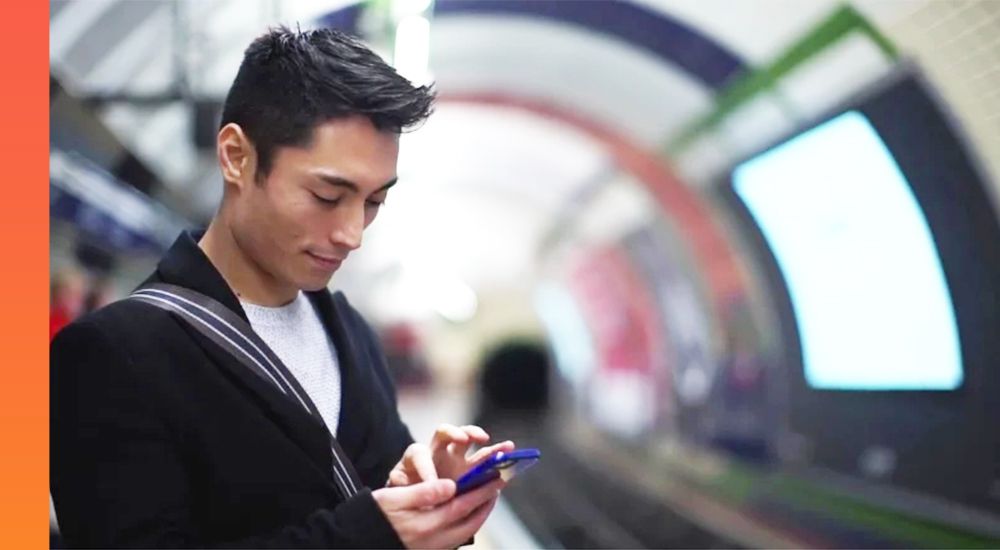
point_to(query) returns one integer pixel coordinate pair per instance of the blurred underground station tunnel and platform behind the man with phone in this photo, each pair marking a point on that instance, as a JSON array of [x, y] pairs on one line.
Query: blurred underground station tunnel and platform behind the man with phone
[[732, 265]]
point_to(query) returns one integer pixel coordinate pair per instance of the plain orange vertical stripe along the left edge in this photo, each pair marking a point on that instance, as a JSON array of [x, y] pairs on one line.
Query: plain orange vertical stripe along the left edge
[[24, 229]]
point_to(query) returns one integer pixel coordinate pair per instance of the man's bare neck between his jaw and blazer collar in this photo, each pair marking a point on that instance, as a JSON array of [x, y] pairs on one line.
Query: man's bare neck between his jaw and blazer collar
[[248, 280]]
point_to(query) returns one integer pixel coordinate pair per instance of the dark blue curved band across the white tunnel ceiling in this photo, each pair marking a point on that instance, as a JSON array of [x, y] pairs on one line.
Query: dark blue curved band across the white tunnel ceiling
[[668, 39]]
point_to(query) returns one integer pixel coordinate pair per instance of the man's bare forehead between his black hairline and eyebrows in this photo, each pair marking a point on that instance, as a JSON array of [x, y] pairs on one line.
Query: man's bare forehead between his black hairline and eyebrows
[[350, 147]]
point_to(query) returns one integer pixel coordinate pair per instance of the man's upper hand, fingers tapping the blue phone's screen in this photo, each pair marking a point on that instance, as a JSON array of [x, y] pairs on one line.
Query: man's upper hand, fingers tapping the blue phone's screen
[[445, 457]]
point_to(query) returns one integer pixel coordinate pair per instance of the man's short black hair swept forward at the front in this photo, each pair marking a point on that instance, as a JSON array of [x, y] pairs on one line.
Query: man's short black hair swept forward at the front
[[291, 81]]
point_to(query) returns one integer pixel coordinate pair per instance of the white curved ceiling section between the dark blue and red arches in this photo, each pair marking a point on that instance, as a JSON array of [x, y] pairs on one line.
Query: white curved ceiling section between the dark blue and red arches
[[623, 88]]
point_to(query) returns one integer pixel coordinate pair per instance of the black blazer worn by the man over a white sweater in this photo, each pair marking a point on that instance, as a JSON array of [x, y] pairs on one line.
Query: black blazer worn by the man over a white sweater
[[159, 438]]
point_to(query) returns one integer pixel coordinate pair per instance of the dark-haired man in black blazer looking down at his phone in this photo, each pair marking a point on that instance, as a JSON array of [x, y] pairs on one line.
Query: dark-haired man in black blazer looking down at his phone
[[160, 437]]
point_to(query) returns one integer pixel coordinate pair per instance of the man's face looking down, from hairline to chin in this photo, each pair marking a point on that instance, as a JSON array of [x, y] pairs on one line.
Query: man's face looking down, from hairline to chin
[[308, 214]]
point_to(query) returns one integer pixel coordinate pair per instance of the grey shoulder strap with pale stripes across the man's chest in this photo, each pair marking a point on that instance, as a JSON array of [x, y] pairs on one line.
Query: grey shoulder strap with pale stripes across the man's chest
[[233, 334]]
